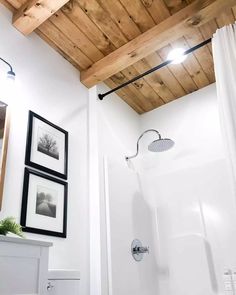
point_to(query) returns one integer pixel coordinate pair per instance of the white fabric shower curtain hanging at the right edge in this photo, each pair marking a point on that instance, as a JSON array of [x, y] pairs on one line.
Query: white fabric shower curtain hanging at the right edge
[[224, 55]]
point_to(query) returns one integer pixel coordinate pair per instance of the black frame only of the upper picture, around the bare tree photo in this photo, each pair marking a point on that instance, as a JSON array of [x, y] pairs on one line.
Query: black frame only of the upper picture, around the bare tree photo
[[38, 166]]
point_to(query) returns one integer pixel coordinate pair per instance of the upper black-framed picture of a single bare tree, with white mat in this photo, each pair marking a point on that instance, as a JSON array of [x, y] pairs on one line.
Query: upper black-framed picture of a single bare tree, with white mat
[[46, 146]]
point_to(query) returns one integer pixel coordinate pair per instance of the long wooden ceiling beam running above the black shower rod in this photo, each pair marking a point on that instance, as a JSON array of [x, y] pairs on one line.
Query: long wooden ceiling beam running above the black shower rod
[[174, 27]]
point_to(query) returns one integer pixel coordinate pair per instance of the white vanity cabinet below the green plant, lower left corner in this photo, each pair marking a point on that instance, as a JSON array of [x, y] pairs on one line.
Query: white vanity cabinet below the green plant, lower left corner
[[23, 266]]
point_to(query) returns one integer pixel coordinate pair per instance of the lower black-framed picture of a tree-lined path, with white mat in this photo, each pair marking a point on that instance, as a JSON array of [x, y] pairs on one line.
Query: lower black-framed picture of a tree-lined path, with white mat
[[44, 204]]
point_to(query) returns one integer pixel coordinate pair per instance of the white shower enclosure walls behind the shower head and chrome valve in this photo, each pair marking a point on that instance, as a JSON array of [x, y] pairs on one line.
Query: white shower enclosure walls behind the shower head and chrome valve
[[188, 188]]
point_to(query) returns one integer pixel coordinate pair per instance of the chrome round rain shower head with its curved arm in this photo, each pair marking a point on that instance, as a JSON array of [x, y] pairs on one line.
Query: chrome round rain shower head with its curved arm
[[158, 145]]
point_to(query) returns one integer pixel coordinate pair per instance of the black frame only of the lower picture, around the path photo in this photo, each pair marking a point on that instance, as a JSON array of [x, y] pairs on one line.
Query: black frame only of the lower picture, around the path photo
[[25, 198]]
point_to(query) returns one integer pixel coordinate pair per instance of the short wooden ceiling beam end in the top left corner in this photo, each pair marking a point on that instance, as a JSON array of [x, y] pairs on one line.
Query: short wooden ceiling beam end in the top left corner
[[34, 12]]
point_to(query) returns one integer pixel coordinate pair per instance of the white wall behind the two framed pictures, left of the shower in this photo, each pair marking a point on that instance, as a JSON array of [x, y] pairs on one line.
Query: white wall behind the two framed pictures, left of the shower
[[48, 85]]
